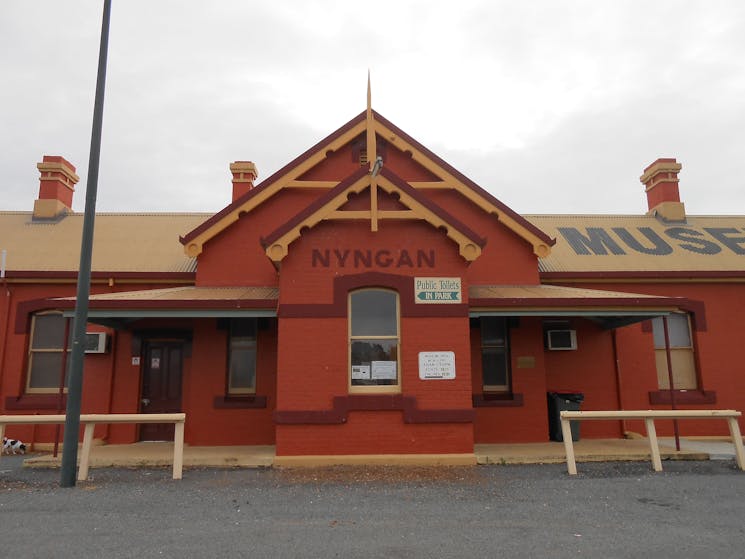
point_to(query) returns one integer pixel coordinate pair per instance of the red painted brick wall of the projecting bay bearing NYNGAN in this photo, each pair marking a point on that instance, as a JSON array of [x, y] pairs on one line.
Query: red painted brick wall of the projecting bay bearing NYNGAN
[[313, 355]]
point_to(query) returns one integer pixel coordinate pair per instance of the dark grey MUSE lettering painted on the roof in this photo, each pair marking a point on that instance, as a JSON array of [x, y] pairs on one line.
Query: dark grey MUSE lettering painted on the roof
[[645, 240]]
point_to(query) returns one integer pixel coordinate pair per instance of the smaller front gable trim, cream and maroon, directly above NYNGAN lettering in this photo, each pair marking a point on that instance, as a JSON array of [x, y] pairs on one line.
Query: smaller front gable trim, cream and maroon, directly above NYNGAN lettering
[[328, 207]]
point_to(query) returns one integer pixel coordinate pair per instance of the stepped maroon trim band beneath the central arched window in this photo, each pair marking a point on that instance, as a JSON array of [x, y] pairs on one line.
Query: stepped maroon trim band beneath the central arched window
[[342, 405]]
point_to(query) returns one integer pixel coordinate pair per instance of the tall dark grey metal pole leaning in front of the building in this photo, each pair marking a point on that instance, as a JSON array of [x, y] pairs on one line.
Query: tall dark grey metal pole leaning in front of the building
[[75, 383]]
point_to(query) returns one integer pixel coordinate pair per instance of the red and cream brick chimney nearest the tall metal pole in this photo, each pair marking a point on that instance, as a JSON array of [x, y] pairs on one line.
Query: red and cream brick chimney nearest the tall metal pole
[[56, 187]]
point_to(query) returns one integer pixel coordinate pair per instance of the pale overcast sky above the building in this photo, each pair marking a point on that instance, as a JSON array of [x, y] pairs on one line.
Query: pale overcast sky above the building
[[553, 107]]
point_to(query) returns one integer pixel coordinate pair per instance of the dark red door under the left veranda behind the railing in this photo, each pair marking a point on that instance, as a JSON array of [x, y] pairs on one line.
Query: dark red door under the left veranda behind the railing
[[161, 386]]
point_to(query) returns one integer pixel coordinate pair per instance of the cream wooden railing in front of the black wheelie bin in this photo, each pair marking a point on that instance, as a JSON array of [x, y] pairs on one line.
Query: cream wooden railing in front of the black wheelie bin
[[649, 416]]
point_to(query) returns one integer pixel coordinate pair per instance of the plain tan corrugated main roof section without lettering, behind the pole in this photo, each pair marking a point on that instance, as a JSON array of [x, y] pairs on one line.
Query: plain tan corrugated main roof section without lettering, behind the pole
[[122, 242]]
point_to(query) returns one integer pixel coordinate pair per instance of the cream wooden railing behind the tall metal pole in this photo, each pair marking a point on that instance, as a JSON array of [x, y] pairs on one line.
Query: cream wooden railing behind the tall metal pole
[[91, 420]]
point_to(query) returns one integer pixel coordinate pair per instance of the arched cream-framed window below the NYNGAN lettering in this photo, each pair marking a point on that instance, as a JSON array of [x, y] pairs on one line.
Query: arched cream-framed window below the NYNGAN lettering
[[374, 340]]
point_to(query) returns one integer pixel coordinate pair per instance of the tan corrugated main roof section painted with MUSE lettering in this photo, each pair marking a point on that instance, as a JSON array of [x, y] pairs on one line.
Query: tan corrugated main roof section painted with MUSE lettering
[[633, 243]]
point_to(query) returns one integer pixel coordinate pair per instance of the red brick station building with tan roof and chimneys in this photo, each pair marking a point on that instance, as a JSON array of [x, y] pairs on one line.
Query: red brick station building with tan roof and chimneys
[[369, 299]]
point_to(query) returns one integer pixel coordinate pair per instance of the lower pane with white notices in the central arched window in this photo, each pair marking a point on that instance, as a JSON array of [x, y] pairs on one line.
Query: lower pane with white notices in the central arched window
[[374, 362]]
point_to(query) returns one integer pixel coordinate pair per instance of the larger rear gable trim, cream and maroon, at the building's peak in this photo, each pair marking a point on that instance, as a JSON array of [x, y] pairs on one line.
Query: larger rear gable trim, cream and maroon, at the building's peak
[[373, 125]]
